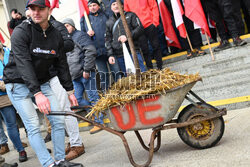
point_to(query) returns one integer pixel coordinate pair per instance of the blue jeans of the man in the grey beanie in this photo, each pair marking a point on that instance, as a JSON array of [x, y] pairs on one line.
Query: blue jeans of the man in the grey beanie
[[89, 85]]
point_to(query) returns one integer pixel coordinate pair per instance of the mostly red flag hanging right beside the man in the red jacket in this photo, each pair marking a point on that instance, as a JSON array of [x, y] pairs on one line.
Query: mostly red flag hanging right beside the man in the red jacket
[[169, 32]]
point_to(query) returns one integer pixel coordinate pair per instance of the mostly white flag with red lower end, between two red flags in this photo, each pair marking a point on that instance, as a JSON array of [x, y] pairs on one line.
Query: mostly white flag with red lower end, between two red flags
[[178, 12]]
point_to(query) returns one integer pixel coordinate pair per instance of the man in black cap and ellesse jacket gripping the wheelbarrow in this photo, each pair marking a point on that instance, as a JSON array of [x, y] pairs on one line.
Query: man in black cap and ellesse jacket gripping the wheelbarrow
[[36, 46]]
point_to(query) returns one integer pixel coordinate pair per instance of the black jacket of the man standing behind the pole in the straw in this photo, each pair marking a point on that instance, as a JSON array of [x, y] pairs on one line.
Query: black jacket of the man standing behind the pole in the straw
[[114, 47]]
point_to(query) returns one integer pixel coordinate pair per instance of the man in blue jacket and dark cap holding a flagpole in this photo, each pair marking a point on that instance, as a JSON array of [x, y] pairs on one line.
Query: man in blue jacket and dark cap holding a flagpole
[[98, 21]]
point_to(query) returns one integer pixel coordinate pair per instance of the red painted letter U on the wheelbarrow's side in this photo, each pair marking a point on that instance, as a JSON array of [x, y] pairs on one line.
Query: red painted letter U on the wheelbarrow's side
[[132, 120]]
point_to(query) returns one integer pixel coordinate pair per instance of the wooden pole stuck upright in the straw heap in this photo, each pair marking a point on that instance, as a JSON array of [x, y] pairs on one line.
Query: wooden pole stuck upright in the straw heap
[[129, 36]]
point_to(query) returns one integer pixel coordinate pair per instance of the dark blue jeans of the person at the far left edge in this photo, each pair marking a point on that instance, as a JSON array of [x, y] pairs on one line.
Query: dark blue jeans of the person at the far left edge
[[9, 116]]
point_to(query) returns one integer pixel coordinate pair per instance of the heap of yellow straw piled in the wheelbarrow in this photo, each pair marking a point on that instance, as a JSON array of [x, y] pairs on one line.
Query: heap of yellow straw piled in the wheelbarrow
[[130, 88]]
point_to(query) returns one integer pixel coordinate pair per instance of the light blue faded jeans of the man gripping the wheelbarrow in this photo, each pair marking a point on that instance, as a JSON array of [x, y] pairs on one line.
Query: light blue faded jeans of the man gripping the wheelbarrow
[[20, 97]]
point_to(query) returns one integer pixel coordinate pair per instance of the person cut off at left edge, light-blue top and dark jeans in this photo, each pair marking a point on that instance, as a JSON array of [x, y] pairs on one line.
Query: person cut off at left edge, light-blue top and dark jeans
[[8, 112]]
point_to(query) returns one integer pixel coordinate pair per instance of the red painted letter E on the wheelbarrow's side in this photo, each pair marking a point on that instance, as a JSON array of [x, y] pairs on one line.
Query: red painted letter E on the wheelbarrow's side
[[143, 109]]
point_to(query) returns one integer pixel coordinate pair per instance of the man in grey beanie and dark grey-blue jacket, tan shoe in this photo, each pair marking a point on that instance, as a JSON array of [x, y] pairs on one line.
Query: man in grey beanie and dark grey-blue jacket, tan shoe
[[82, 68]]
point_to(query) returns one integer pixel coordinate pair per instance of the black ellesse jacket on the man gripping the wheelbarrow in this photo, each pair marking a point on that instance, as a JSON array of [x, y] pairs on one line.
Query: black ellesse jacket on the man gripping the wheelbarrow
[[33, 52]]
